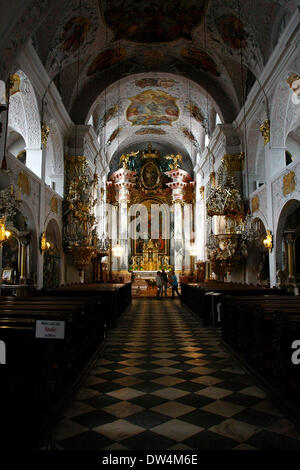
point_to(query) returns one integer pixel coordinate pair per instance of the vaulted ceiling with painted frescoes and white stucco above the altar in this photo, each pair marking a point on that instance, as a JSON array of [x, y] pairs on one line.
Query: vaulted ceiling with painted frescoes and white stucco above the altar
[[158, 70]]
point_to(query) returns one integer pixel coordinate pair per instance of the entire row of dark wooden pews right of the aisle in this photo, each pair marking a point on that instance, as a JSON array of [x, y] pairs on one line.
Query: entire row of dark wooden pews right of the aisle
[[260, 325]]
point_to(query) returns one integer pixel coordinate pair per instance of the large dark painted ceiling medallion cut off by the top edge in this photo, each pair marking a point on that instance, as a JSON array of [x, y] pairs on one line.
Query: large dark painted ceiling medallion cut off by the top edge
[[152, 22]]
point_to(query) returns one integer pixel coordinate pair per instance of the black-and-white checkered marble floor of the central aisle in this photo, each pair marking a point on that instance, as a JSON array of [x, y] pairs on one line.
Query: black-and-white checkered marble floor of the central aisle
[[166, 383]]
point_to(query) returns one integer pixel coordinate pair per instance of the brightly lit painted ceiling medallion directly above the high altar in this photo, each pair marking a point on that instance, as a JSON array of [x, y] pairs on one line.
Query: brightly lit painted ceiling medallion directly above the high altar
[[152, 107]]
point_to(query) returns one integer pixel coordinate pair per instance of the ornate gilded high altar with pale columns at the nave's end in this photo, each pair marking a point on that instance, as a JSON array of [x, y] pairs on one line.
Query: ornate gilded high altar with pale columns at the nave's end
[[147, 178]]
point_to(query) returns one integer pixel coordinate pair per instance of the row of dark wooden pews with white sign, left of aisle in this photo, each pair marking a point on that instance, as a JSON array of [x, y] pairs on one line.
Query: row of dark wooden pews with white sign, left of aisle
[[41, 372]]
